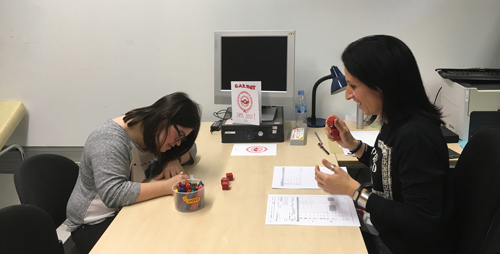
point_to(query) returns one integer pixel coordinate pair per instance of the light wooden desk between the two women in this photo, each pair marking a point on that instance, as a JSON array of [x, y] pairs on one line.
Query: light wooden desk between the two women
[[232, 221]]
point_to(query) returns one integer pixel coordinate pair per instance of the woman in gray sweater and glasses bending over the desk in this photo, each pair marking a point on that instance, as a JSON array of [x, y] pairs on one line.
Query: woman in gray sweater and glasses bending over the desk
[[121, 154]]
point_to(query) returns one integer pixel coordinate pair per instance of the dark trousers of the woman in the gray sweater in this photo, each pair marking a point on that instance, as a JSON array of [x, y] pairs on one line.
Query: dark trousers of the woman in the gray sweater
[[86, 236]]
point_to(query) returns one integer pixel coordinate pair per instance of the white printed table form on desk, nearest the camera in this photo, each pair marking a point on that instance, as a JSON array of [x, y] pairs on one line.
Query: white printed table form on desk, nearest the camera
[[311, 210]]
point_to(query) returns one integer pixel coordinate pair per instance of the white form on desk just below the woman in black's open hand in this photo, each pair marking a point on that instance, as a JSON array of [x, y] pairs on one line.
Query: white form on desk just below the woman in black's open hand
[[297, 177]]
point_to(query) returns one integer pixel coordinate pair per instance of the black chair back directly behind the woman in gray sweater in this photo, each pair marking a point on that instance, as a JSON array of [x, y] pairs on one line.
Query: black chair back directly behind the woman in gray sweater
[[46, 181]]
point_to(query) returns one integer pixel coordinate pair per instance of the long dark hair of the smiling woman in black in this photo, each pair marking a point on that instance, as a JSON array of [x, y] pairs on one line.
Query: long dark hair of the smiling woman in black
[[386, 63]]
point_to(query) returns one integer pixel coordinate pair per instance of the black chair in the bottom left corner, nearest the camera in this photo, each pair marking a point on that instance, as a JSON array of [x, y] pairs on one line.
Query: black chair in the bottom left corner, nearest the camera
[[27, 229]]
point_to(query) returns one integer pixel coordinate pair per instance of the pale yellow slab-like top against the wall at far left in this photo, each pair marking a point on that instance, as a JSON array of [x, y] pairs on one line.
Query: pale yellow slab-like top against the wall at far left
[[11, 113]]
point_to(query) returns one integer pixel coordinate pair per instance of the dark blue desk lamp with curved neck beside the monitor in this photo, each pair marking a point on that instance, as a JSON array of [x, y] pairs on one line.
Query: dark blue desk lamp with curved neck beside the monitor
[[339, 84]]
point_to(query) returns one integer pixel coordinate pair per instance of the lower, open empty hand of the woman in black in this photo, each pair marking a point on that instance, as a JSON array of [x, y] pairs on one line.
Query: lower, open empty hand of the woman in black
[[340, 182]]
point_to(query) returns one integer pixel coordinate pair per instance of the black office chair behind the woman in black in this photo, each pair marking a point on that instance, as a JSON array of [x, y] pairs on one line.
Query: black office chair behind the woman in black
[[476, 195]]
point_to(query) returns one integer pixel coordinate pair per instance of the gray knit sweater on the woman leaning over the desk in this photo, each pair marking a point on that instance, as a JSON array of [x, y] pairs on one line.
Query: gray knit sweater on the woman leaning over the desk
[[111, 168]]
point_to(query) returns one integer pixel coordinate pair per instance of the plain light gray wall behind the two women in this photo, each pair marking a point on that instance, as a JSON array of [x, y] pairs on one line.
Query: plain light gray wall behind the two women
[[75, 64]]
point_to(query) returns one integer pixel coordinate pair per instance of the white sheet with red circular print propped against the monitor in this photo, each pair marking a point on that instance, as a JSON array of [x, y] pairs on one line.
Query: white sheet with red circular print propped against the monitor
[[246, 102]]
